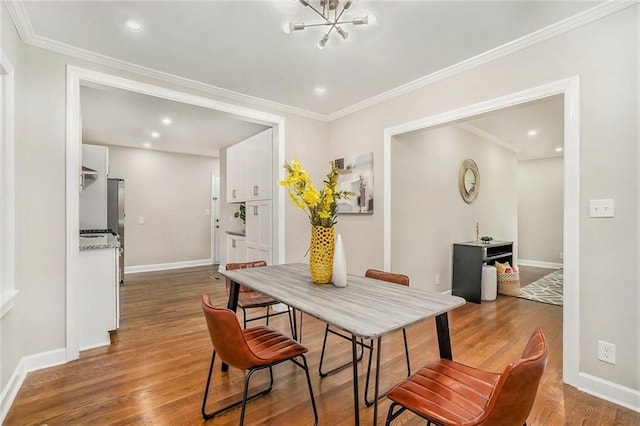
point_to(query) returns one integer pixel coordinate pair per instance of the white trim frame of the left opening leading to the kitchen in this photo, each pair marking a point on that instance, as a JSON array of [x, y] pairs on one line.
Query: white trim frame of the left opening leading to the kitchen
[[77, 76]]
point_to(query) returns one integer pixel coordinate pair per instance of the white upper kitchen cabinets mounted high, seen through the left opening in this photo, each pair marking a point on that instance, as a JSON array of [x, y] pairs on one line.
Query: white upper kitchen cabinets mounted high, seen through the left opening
[[249, 168]]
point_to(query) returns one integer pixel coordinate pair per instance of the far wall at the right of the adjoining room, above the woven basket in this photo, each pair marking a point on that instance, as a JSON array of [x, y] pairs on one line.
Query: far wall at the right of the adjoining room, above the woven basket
[[540, 209]]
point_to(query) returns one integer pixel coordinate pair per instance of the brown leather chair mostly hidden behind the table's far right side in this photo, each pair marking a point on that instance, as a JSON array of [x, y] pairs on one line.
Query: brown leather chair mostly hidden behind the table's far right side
[[378, 275]]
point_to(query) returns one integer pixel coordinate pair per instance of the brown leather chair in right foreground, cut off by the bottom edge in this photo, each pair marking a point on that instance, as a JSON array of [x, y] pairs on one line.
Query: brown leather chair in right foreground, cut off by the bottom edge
[[448, 393]]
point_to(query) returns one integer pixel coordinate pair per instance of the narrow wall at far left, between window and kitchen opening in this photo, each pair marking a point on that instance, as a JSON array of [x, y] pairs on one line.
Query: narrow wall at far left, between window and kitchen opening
[[40, 205]]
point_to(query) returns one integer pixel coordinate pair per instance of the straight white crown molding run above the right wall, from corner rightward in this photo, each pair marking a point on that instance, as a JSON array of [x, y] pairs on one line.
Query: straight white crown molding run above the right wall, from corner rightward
[[554, 30]]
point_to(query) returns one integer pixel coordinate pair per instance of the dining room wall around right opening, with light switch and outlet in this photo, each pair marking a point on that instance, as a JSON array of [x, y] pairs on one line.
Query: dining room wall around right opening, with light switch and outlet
[[605, 56]]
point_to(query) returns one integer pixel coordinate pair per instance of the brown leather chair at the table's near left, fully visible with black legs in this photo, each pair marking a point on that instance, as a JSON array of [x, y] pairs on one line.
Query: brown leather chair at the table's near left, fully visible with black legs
[[251, 349]]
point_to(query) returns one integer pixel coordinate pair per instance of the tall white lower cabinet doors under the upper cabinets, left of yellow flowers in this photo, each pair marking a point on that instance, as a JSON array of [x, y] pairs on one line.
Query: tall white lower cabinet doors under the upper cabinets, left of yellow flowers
[[258, 225]]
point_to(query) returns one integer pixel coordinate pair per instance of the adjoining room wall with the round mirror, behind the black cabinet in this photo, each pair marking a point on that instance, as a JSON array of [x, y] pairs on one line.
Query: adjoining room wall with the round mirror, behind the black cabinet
[[428, 214]]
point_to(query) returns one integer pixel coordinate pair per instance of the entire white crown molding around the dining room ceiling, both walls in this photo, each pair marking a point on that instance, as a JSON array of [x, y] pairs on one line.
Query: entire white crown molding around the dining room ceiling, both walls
[[23, 25]]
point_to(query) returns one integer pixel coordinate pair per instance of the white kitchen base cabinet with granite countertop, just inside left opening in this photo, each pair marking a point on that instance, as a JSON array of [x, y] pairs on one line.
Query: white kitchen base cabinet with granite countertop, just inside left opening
[[99, 290]]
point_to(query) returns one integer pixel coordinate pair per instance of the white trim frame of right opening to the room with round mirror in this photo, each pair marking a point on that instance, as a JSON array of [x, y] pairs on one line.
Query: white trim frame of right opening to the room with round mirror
[[570, 88]]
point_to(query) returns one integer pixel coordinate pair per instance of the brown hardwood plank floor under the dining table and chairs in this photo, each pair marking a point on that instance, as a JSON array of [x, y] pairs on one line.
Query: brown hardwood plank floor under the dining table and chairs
[[154, 372]]
